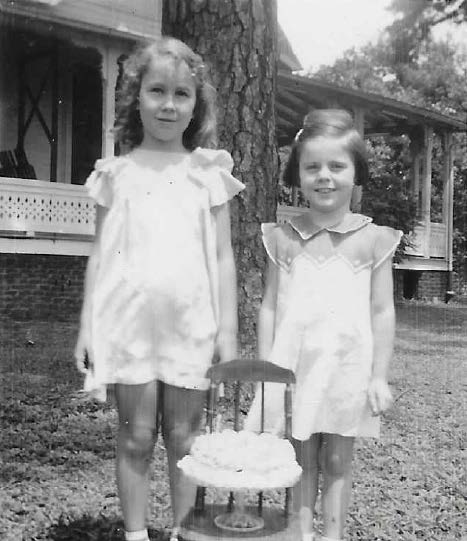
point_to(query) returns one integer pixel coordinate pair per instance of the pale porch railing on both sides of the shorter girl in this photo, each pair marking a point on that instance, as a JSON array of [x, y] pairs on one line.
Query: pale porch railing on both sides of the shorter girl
[[435, 246]]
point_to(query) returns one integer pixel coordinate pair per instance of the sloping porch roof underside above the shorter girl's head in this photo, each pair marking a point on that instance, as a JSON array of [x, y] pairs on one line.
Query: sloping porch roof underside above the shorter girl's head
[[296, 95]]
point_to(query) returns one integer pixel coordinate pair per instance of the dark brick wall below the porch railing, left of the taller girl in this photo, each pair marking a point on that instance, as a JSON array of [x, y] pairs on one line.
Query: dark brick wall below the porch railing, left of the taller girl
[[44, 287]]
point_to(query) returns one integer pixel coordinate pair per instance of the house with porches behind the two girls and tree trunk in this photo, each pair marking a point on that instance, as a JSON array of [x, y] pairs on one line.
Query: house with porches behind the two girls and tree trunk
[[59, 68]]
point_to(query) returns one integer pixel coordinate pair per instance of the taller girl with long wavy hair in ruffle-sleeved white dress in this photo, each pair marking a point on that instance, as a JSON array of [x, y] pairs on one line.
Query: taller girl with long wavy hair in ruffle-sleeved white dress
[[160, 289]]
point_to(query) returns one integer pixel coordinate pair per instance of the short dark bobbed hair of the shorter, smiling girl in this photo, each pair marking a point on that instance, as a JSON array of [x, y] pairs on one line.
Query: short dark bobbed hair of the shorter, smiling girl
[[328, 123]]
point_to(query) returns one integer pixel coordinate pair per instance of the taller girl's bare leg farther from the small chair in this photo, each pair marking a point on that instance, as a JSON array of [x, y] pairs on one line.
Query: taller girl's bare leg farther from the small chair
[[137, 409]]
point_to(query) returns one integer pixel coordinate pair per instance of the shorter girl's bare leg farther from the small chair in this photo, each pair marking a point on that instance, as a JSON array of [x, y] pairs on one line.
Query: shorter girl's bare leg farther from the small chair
[[337, 482]]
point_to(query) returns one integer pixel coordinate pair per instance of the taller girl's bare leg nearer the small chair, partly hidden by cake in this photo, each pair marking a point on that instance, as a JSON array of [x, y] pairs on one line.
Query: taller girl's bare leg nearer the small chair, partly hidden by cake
[[182, 413]]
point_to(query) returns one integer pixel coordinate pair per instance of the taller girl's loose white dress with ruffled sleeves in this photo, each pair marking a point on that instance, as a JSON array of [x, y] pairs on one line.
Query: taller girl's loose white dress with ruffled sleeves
[[155, 298]]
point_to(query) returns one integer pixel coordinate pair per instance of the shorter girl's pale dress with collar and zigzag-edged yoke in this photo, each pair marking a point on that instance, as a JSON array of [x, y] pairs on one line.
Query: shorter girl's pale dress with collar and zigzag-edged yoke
[[323, 323]]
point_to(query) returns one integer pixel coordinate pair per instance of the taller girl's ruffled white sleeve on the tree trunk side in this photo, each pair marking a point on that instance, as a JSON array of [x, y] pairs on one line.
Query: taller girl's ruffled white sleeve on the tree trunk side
[[213, 168]]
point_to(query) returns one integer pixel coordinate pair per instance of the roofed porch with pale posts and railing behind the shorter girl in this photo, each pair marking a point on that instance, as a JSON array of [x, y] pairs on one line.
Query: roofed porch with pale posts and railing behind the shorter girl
[[379, 116]]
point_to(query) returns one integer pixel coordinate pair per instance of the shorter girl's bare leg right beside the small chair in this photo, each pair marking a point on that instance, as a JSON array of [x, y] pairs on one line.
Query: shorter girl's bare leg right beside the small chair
[[306, 491]]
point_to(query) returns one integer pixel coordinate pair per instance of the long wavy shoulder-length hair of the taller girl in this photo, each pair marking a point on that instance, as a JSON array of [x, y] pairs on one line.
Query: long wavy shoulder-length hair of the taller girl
[[128, 128]]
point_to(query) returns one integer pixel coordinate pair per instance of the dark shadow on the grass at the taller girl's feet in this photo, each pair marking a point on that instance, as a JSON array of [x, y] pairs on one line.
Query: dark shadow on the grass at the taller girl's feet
[[87, 528]]
